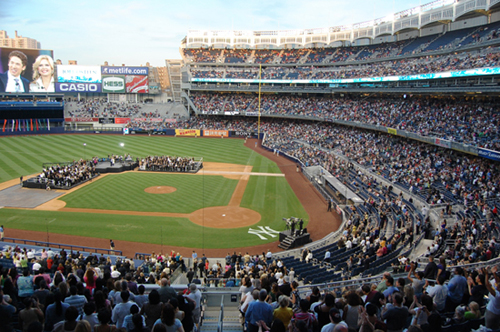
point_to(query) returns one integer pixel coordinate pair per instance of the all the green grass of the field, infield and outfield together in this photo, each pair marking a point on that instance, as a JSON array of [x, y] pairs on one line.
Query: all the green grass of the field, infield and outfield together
[[271, 196]]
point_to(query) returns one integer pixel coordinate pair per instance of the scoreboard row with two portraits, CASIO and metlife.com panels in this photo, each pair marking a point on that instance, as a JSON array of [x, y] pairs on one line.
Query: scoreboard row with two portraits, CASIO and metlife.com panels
[[32, 71]]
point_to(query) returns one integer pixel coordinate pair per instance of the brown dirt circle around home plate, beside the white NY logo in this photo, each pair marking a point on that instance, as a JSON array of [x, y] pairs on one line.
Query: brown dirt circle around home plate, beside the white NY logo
[[225, 217]]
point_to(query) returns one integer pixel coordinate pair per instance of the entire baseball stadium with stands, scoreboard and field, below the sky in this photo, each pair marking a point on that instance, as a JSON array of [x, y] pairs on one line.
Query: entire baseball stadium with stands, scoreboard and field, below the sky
[[330, 179]]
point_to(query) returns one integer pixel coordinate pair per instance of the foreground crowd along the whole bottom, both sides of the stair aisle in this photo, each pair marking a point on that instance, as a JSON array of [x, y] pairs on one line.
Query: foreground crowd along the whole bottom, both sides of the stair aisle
[[57, 289]]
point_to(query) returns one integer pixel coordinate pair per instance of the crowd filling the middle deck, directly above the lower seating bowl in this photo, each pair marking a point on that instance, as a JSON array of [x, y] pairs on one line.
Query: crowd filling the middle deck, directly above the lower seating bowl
[[471, 121]]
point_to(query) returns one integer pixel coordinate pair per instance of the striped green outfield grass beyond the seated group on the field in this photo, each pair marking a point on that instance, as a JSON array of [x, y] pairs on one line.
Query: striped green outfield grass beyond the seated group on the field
[[25, 155]]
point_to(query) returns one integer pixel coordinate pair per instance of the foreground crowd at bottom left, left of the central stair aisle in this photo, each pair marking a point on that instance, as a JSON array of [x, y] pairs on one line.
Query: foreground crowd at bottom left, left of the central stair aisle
[[54, 289]]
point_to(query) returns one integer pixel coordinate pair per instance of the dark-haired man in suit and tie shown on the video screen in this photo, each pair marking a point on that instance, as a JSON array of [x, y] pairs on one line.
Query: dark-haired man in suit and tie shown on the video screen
[[11, 81]]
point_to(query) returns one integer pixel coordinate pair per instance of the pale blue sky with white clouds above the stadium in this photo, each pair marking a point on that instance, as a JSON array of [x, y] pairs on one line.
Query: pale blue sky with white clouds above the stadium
[[136, 32]]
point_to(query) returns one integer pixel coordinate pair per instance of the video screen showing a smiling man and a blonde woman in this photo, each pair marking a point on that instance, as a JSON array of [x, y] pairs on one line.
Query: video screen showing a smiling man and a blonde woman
[[39, 63]]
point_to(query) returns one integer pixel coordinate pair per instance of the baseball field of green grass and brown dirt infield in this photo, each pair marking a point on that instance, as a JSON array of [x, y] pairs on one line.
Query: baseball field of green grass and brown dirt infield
[[238, 193]]
